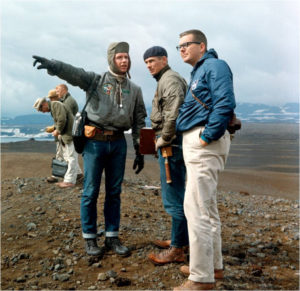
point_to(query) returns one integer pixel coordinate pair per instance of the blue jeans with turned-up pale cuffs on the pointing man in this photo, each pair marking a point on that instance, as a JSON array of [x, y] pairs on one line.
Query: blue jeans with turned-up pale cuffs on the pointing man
[[98, 156]]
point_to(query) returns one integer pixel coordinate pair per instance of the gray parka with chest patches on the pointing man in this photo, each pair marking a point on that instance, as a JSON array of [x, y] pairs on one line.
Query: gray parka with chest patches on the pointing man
[[106, 109]]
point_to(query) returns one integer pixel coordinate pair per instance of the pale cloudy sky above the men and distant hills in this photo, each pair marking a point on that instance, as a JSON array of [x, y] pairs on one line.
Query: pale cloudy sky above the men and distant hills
[[259, 39]]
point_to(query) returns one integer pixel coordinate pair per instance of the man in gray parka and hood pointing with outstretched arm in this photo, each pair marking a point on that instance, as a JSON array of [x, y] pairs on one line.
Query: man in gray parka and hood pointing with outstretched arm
[[116, 105]]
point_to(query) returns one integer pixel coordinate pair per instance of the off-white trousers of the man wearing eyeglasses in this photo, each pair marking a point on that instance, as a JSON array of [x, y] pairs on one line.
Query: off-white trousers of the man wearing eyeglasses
[[203, 165]]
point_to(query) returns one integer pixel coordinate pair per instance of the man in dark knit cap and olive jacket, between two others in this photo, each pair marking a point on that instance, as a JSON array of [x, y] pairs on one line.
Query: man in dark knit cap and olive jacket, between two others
[[169, 95]]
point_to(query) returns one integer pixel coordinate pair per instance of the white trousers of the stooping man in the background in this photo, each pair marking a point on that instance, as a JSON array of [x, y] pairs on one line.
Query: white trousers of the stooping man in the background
[[71, 157]]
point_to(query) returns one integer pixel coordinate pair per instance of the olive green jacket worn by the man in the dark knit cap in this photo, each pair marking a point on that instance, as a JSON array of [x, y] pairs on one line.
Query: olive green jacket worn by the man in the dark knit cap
[[170, 92]]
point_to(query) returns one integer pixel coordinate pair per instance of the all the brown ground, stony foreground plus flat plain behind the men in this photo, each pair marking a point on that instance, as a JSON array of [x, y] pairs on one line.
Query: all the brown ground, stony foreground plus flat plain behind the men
[[42, 247]]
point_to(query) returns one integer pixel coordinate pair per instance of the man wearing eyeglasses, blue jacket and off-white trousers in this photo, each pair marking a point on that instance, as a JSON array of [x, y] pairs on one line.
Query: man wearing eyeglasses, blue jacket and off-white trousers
[[202, 119]]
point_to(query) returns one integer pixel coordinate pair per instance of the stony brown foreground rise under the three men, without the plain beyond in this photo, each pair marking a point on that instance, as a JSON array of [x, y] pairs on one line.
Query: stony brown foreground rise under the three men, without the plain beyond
[[42, 246]]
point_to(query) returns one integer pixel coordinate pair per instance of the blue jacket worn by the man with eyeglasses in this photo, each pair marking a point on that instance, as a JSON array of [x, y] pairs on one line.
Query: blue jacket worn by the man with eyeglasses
[[211, 82]]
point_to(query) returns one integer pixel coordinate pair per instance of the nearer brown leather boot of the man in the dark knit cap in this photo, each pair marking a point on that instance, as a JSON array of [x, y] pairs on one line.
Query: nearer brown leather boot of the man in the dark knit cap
[[171, 255]]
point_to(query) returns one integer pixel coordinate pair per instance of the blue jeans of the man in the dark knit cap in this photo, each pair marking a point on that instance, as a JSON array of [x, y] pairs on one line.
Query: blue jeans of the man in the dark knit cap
[[173, 193]]
